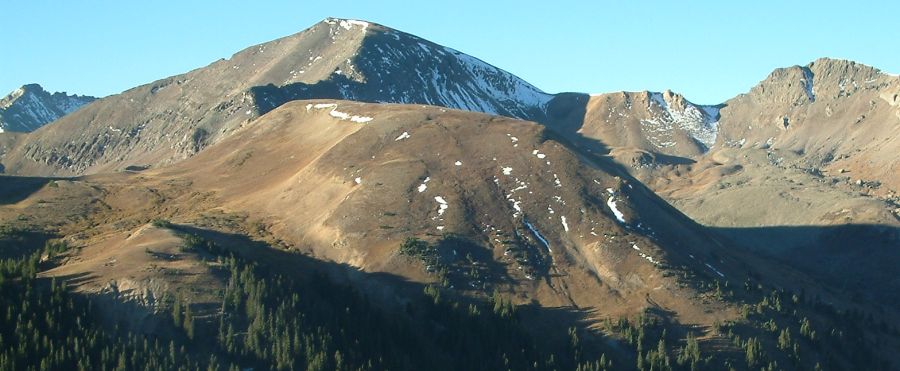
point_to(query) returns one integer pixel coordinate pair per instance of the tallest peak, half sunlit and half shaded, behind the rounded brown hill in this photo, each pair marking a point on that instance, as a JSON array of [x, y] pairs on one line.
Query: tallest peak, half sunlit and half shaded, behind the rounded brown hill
[[174, 118]]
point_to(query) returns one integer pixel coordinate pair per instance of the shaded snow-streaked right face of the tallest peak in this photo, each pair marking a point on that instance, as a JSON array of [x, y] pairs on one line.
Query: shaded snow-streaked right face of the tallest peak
[[410, 70]]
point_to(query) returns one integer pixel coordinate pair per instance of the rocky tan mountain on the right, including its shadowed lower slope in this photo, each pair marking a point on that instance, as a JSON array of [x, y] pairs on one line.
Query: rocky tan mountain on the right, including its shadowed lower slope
[[802, 168]]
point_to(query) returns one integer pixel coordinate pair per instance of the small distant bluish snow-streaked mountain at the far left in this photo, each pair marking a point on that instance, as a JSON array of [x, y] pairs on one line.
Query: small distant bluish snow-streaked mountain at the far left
[[30, 107]]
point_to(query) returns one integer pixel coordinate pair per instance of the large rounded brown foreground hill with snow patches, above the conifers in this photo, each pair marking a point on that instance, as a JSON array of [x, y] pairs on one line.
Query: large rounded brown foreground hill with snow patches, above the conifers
[[397, 199]]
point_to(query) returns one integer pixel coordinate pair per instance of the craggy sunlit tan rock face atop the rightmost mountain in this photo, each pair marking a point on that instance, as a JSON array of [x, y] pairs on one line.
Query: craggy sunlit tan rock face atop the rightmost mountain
[[834, 114]]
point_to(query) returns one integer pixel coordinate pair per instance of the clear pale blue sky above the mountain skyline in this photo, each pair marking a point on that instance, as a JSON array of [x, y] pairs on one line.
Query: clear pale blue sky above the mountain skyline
[[709, 51]]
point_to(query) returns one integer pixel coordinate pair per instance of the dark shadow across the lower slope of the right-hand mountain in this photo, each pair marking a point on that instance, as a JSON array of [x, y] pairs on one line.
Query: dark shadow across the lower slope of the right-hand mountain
[[859, 259]]
